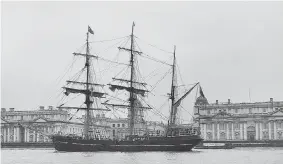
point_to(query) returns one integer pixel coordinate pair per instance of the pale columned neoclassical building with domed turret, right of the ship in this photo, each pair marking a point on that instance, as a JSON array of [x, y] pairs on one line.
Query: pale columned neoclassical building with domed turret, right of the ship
[[259, 121]]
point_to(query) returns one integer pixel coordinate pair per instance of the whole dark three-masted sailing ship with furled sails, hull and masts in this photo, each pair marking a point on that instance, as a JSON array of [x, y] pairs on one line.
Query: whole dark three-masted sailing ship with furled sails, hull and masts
[[176, 138]]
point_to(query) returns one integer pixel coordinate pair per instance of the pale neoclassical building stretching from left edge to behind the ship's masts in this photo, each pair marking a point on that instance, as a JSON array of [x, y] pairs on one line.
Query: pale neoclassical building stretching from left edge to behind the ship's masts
[[35, 126]]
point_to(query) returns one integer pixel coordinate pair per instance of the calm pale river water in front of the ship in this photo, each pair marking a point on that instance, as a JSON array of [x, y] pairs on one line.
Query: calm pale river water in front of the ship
[[203, 156]]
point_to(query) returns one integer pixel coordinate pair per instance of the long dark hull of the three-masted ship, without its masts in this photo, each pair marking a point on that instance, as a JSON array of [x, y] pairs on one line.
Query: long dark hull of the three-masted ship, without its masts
[[184, 143]]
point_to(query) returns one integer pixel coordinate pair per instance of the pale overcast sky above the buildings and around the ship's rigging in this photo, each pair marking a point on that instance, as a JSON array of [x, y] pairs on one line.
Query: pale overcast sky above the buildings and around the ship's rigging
[[229, 47]]
